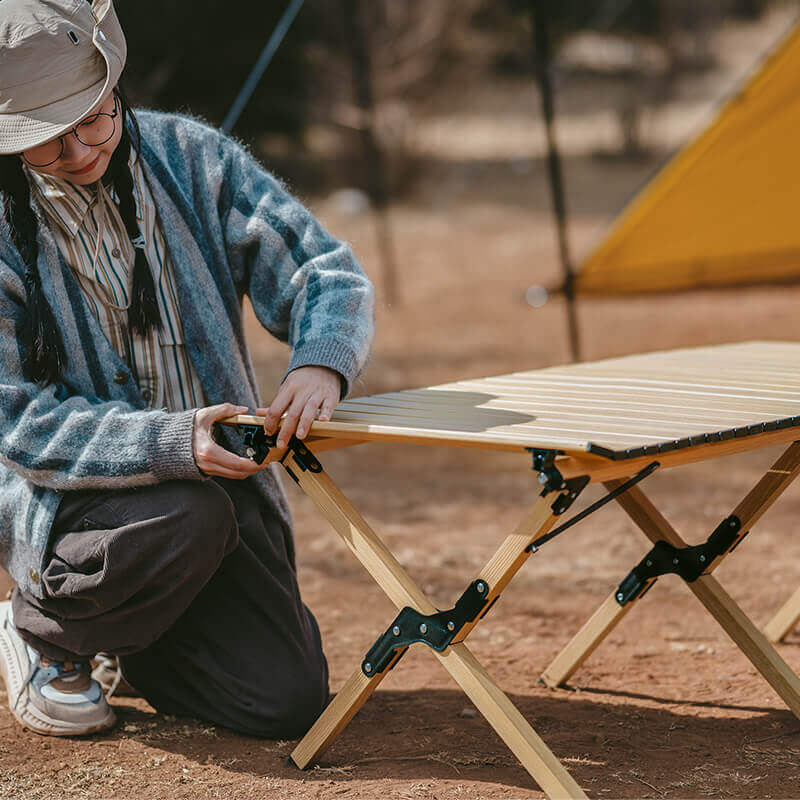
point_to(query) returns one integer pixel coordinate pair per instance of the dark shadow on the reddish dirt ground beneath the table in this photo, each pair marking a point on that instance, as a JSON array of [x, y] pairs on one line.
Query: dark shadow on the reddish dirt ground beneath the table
[[436, 734]]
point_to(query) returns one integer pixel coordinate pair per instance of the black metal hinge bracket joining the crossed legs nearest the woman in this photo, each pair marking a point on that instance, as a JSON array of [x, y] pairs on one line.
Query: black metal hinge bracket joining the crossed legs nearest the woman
[[435, 630]]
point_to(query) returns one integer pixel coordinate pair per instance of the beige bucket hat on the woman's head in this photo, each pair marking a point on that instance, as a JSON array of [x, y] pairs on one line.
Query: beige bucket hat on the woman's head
[[58, 60]]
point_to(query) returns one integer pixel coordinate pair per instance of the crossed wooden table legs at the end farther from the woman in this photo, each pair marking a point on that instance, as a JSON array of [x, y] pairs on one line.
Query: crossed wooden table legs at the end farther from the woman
[[706, 588]]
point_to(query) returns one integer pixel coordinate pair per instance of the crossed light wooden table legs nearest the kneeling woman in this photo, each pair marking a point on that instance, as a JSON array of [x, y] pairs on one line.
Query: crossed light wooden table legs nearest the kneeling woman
[[457, 659]]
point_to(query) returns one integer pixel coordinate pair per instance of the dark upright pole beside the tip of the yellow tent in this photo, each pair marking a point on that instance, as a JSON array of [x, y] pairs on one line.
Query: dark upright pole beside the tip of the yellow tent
[[541, 41]]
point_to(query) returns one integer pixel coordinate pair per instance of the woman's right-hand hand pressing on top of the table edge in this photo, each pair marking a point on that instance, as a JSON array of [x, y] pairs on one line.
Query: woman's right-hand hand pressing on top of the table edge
[[306, 391]]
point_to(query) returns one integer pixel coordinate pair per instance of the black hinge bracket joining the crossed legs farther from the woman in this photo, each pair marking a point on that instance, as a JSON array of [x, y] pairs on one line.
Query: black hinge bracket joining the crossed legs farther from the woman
[[687, 562]]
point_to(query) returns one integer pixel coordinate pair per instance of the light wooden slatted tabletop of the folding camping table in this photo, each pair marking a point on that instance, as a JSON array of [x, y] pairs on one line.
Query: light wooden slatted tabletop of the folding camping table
[[617, 408]]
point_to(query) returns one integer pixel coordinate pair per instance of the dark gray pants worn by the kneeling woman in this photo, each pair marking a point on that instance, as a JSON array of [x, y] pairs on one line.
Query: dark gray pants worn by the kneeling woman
[[192, 584]]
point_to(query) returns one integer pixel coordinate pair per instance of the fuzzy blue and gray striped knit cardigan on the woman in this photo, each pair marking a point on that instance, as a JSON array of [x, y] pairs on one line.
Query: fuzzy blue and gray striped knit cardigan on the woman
[[232, 230]]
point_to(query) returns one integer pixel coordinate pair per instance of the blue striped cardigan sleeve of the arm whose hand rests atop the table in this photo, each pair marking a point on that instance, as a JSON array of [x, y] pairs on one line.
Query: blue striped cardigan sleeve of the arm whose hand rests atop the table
[[306, 287]]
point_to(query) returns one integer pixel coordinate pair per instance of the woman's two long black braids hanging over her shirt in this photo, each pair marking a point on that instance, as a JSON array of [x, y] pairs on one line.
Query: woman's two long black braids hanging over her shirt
[[45, 354]]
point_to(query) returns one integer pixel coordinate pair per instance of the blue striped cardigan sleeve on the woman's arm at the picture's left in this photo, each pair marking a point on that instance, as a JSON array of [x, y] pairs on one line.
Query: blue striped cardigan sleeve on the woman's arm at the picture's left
[[64, 441]]
